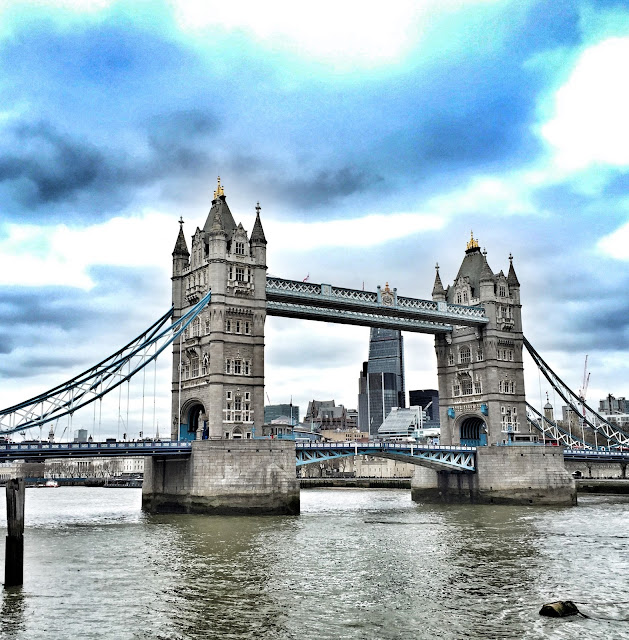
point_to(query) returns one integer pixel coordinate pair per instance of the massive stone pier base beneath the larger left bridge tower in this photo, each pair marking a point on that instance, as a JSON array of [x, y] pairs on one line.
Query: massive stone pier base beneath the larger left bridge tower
[[222, 477]]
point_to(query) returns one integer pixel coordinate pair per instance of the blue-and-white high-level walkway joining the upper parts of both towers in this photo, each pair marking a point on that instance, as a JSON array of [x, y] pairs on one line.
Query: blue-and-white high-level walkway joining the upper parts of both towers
[[310, 301]]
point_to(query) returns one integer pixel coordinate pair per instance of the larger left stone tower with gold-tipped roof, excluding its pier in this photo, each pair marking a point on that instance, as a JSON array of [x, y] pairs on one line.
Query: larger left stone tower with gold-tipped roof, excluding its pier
[[218, 365]]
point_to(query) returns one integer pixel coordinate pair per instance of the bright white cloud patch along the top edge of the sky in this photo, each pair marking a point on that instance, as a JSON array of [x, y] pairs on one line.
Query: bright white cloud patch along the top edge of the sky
[[343, 34]]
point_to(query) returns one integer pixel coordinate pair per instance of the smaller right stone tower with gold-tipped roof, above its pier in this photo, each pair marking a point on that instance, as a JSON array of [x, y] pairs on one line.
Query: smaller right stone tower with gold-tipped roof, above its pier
[[480, 371]]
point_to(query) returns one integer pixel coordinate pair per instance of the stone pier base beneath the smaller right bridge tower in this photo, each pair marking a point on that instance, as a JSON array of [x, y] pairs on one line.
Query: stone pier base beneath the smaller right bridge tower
[[504, 475]]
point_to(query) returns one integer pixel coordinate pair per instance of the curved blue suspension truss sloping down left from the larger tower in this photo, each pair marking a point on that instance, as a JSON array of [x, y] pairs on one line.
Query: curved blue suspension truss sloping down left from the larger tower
[[100, 379]]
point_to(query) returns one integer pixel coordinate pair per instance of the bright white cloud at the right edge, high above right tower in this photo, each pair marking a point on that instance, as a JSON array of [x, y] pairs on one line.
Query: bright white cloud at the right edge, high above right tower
[[590, 122]]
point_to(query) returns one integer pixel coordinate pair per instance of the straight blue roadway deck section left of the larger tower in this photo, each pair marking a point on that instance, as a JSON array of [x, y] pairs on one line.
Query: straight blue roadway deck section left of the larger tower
[[45, 450]]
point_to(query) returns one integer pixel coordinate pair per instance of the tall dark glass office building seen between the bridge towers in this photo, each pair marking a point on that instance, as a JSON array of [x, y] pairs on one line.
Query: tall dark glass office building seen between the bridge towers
[[381, 382]]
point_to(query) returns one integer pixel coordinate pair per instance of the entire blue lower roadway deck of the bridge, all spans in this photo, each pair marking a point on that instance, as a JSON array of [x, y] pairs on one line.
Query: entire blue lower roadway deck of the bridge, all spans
[[438, 457]]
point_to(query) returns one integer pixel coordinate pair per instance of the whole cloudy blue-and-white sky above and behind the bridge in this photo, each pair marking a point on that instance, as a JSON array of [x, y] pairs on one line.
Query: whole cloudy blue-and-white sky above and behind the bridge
[[374, 137]]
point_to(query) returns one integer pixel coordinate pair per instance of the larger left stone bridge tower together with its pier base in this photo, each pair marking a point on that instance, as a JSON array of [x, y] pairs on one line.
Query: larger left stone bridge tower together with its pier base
[[218, 381]]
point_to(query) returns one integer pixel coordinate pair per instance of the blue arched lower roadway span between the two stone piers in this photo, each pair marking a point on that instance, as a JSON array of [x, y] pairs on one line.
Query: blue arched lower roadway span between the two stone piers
[[436, 457]]
